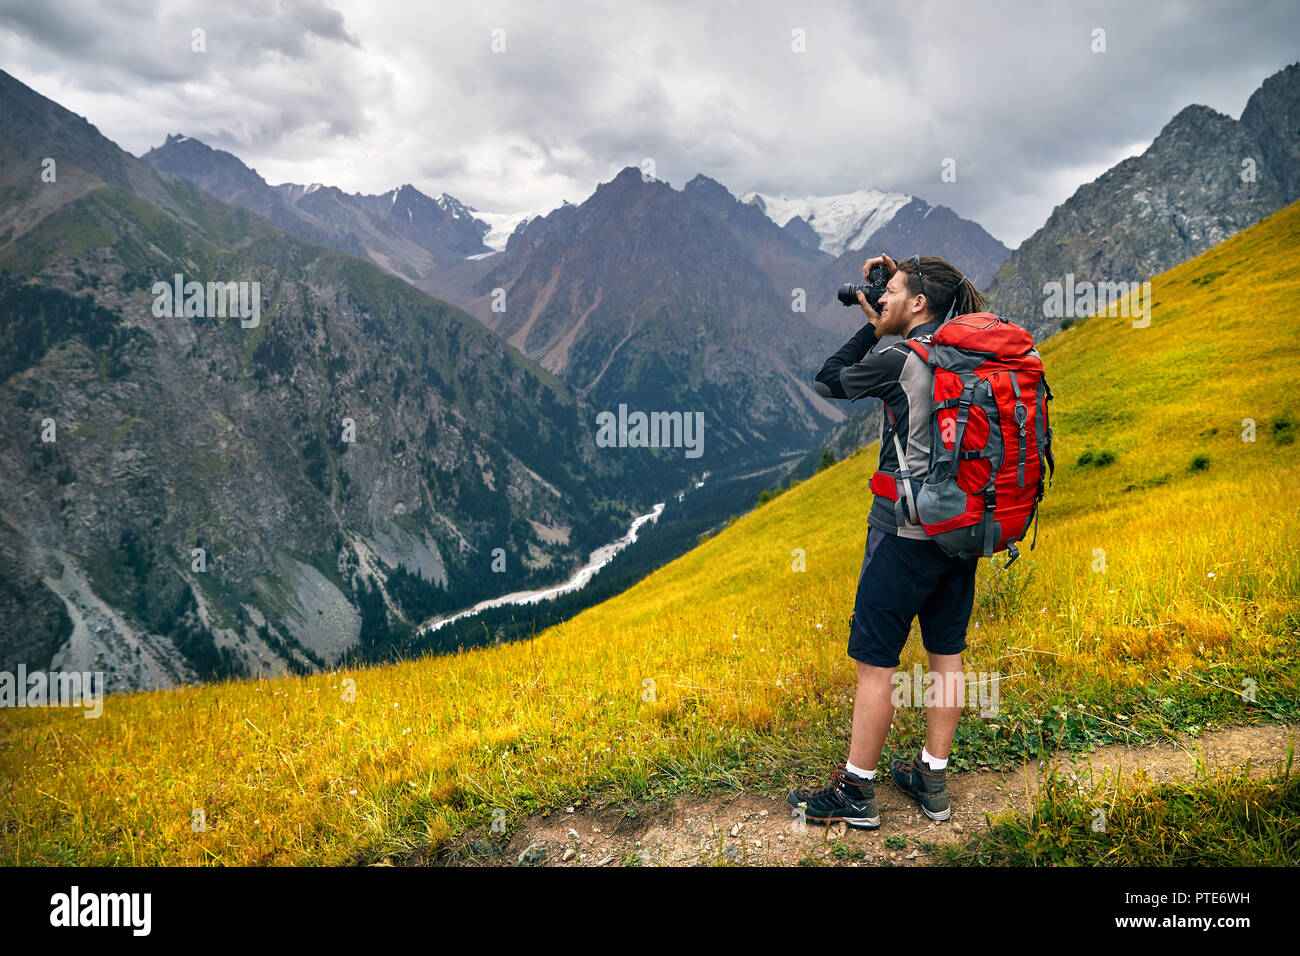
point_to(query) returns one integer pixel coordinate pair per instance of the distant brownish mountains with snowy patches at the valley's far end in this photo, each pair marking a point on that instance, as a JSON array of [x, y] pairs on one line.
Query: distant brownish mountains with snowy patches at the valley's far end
[[670, 299]]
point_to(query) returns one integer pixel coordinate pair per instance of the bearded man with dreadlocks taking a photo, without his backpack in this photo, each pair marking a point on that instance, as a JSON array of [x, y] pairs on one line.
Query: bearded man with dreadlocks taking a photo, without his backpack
[[904, 574]]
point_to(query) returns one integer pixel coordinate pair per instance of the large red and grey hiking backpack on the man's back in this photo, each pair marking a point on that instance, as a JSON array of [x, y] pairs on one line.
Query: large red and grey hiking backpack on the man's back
[[989, 439]]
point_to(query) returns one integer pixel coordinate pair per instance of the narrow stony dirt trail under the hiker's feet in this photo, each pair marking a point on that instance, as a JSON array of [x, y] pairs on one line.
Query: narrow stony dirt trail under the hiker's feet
[[748, 829]]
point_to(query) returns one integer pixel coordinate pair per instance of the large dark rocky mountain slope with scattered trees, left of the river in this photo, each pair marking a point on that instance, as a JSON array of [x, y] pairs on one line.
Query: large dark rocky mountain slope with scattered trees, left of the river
[[189, 495]]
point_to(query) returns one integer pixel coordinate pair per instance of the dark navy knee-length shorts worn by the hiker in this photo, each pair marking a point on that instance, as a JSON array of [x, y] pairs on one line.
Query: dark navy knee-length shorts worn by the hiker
[[903, 579]]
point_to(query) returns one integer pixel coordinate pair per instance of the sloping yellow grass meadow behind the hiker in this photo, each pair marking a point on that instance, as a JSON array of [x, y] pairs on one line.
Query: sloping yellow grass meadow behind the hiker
[[1164, 582]]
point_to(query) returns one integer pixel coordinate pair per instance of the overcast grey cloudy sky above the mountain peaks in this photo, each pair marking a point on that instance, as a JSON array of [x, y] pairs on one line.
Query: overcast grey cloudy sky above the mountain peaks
[[795, 100]]
